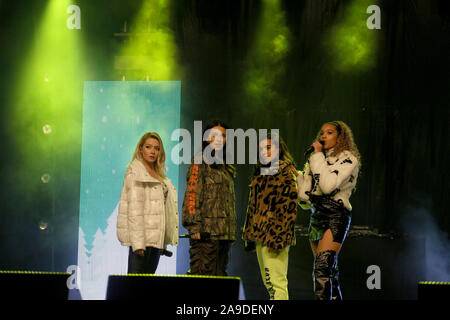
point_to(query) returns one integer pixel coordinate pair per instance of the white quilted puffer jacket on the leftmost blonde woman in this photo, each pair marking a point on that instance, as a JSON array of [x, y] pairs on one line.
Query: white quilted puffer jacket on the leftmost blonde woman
[[144, 219]]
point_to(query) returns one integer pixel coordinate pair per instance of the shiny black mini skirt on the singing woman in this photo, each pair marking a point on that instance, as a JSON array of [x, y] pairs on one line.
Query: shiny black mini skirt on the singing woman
[[328, 214]]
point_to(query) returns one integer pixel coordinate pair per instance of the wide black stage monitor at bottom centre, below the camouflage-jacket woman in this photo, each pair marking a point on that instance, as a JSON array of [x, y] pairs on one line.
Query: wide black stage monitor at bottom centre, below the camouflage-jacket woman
[[184, 288]]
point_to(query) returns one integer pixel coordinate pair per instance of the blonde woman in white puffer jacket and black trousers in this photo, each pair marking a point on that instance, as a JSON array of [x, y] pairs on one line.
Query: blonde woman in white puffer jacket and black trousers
[[148, 214]]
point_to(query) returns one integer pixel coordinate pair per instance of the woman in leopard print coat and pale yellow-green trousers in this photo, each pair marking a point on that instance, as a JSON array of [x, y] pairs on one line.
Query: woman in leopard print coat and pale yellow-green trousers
[[271, 214]]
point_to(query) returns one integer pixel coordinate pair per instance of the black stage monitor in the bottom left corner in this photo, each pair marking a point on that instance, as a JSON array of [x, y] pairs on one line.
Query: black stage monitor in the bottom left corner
[[34, 285]]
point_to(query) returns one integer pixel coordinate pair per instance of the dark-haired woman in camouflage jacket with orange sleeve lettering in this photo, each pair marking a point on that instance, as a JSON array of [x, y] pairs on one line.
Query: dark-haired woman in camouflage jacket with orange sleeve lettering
[[209, 206]]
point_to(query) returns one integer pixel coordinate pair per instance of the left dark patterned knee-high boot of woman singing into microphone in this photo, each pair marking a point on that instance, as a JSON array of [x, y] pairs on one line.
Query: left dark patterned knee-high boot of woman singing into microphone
[[323, 273]]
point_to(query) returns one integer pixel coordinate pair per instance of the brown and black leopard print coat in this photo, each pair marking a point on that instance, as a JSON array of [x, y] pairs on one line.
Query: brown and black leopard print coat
[[272, 209]]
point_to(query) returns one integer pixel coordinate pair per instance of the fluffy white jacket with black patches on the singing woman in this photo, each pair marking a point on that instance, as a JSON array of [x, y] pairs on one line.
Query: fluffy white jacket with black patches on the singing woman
[[335, 176]]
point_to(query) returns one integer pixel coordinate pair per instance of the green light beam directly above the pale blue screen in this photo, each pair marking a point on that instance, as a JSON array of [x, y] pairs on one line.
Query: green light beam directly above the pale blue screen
[[150, 53]]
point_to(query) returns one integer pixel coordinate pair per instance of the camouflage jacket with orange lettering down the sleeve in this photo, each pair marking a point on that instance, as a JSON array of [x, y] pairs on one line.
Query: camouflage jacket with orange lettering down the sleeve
[[209, 201]]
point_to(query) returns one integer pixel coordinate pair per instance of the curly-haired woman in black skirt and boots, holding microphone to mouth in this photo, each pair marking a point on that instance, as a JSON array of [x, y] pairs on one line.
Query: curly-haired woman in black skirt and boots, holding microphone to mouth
[[325, 186]]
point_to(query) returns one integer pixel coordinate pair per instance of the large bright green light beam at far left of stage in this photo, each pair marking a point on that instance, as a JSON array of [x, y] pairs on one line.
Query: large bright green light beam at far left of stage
[[45, 112]]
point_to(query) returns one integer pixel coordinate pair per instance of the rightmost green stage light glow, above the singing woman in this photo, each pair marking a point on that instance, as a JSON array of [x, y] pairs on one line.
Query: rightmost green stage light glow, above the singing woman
[[351, 43]]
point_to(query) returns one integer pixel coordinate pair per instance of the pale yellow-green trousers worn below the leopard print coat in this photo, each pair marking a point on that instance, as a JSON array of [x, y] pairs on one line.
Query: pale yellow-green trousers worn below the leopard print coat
[[273, 267]]
